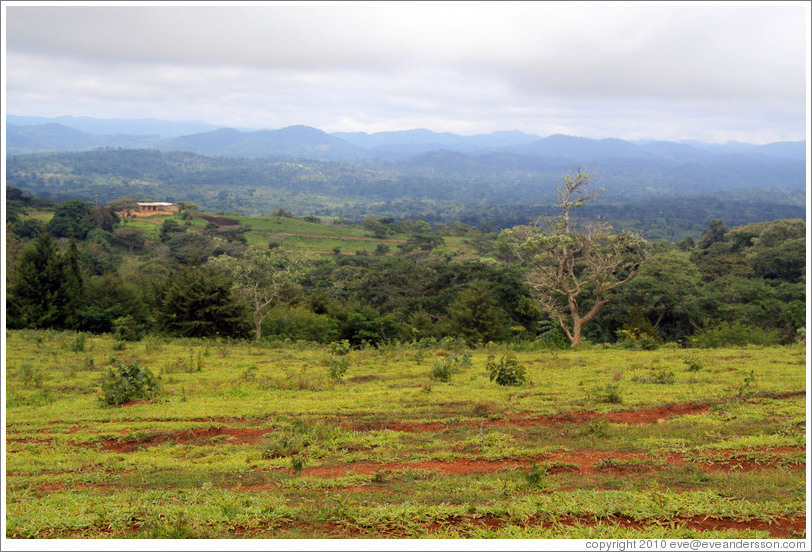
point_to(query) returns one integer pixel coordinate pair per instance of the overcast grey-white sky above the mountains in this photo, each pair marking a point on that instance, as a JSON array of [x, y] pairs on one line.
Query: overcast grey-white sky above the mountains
[[727, 71]]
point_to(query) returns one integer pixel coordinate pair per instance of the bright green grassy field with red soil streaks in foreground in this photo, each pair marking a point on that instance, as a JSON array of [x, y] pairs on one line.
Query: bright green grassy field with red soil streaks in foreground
[[260, 441]]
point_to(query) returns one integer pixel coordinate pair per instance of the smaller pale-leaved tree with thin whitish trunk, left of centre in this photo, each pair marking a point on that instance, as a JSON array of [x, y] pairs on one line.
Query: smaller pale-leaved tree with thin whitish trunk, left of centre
[[262, 277]]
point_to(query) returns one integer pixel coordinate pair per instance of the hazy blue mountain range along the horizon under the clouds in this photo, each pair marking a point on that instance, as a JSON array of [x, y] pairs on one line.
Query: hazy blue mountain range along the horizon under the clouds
[[35, 135]]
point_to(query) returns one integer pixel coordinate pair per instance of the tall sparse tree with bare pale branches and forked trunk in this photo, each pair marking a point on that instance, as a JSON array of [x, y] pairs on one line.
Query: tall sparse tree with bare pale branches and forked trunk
[[572, 273]]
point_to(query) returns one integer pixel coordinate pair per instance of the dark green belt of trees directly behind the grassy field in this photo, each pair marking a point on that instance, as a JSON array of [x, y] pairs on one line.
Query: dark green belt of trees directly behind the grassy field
[[77, 265]]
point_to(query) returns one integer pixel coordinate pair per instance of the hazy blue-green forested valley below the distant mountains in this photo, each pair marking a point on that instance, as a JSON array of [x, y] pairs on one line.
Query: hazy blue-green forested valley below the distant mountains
[[492, 191]]
